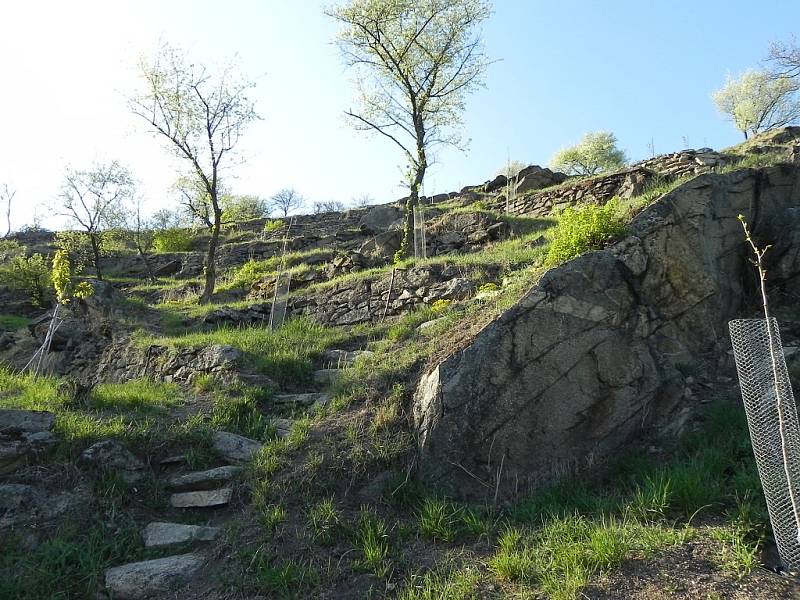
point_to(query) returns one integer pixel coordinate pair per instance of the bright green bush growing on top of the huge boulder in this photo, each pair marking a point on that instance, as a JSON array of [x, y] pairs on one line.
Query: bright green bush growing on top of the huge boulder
[[582, 229]]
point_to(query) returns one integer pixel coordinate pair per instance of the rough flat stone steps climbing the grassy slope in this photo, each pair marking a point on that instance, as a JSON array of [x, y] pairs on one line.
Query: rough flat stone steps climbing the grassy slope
[[209, 490]]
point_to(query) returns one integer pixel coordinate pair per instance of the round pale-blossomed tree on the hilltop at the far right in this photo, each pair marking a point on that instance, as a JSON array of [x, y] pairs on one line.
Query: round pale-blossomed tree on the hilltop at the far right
[[759, 101]]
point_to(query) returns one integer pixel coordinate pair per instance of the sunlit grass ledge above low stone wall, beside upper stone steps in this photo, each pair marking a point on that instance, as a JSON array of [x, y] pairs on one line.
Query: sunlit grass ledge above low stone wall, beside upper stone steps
[[286, 354]]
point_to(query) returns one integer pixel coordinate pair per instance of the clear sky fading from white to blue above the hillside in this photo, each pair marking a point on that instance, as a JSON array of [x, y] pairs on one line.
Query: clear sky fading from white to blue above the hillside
[[644, 70]]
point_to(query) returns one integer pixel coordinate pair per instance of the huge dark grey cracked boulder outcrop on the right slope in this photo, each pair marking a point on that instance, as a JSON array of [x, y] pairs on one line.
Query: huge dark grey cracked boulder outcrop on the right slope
[[588, 358]]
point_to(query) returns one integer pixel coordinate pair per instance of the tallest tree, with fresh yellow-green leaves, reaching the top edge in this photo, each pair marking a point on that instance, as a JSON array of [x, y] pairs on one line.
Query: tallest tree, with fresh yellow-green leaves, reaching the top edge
[[416, 61]]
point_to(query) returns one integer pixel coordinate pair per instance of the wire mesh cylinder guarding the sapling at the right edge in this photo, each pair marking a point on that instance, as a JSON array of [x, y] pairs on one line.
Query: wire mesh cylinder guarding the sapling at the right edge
[[774, 431]]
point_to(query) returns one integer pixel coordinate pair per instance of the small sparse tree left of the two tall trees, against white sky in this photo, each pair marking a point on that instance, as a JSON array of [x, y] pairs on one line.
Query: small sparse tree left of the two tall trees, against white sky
[[95, 199]]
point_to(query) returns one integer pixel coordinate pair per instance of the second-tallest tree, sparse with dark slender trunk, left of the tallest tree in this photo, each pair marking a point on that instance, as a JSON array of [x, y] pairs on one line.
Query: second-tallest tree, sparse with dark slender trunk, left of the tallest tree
[[202, 118]]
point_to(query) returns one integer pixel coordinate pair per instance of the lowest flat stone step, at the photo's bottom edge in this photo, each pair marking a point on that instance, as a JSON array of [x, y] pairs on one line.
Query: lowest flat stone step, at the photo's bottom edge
[[152, 577]]
